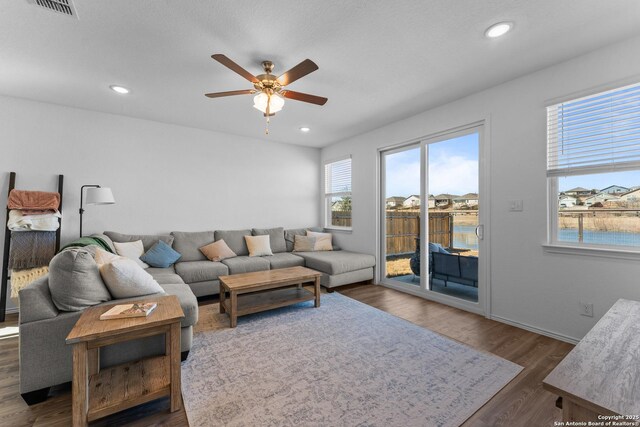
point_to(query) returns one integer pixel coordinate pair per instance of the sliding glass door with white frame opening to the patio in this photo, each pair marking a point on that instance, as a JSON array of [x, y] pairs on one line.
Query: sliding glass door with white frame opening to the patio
[[431, 225]]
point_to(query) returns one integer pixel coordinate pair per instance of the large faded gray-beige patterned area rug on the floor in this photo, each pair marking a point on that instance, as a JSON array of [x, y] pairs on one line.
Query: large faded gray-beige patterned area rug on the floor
[[343, 364]]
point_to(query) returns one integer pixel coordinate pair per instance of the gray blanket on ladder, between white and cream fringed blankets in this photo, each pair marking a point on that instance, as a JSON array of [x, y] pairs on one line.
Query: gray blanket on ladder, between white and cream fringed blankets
[[31, 249]]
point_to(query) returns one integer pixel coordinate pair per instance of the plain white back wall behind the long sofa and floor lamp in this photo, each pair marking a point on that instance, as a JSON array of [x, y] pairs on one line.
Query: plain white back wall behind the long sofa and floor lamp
[[164, 177]]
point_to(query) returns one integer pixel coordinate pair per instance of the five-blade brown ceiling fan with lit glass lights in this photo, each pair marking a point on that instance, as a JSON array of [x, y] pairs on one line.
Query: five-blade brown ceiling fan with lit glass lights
[[269, 88]]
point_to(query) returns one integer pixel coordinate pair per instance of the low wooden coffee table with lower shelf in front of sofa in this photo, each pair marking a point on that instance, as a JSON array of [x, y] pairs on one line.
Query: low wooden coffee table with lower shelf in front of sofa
[[263, 290]]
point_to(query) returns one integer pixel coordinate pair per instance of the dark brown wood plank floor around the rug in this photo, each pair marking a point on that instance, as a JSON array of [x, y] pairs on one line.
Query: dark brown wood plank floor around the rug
[[522, 402]]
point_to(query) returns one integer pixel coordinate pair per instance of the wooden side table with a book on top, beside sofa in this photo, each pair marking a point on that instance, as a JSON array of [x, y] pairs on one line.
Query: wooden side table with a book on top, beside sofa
[[98, 393]]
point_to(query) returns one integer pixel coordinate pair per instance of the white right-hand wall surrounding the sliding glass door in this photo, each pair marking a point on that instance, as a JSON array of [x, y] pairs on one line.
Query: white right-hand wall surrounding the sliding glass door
[[528, 286]]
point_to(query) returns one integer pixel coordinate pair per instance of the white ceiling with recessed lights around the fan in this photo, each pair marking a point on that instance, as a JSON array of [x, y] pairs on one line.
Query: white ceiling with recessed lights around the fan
[[379, 60]]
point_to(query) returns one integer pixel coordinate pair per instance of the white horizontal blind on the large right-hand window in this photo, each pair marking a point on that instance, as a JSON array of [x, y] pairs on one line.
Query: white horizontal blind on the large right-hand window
[[597, 133]]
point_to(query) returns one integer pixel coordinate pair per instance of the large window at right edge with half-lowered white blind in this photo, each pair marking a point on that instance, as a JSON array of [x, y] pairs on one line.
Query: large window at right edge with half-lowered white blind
[[593, 169]]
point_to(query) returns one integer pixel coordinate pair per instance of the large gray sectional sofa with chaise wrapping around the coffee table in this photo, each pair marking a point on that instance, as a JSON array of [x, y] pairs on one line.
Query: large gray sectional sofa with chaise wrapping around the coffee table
[[45, 359]]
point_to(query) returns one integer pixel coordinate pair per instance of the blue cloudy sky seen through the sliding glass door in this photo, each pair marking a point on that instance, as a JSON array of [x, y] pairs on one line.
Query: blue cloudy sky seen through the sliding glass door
[[452, 165]]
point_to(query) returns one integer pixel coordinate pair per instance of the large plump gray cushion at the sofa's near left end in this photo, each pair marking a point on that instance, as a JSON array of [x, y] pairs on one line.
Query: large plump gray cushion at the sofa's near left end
[[75, 282]]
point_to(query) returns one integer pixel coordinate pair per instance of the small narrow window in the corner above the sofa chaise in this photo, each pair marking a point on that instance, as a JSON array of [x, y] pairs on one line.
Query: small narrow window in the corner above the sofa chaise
[[337, 194]]
